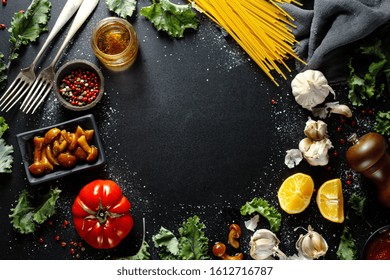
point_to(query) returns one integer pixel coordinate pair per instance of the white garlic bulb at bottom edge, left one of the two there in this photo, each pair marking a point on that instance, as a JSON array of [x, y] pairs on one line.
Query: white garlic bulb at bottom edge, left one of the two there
[[264, 245]]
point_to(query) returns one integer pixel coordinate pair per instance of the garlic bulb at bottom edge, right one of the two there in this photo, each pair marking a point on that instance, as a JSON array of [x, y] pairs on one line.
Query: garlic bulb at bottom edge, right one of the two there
[[311, 245]]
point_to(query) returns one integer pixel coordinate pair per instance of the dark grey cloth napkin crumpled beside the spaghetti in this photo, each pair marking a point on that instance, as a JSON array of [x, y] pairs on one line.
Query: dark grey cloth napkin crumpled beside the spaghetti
[[327, 28]]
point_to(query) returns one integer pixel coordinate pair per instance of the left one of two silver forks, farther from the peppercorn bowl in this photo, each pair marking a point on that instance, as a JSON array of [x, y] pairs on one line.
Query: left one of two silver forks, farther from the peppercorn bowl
[[26, 76]]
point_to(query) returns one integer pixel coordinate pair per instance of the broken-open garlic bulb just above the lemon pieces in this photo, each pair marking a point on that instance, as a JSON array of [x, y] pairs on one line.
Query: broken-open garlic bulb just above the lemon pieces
[[315, 152]]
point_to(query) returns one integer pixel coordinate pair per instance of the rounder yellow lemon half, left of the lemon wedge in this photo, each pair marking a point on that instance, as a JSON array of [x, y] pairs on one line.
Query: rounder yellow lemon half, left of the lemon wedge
[[295, 193]]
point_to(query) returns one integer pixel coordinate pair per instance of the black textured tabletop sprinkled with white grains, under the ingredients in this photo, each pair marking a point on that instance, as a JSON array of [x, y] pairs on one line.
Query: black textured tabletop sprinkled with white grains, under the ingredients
[[189, 130]]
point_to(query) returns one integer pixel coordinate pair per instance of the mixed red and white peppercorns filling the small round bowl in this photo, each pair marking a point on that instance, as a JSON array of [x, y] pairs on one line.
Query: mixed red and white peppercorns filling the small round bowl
[[80, 87]]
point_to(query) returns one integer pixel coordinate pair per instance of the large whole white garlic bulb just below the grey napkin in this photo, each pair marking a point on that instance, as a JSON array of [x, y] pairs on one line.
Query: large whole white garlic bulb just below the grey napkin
[[310, 88]]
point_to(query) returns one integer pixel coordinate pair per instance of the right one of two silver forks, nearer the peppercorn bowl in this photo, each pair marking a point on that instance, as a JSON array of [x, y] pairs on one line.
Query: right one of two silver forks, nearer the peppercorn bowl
[[43, 84]]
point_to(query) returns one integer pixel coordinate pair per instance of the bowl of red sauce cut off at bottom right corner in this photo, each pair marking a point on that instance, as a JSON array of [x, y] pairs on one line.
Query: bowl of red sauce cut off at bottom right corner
[[378, 244]]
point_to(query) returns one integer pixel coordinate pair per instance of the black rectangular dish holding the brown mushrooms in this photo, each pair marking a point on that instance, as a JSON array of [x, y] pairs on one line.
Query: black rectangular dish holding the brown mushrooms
[[26, 146]]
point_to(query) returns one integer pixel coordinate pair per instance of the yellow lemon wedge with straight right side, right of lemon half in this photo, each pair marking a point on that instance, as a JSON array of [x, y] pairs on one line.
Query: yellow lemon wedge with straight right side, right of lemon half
[[330, 200]]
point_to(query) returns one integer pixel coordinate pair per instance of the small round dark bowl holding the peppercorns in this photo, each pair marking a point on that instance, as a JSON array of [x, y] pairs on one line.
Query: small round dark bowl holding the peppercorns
[[65, 70]]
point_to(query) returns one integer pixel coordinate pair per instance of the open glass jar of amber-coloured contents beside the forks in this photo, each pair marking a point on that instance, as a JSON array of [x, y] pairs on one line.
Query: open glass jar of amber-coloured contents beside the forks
[[115, 43]]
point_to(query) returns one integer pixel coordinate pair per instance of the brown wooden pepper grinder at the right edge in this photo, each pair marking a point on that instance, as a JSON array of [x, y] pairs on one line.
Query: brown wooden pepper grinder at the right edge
[[368, 156]]
